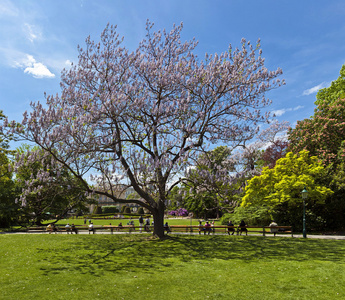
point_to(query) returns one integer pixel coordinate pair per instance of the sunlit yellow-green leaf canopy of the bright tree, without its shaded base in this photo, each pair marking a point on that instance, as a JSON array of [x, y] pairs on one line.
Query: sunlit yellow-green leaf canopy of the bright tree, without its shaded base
[[285, 182]]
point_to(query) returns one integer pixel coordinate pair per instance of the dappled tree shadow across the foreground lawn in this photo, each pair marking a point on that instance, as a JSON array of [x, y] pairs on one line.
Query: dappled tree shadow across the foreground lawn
[[99, 254]]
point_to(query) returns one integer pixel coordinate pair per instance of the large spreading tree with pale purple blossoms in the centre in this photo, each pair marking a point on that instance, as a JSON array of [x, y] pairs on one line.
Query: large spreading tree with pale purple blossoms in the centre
[[140, 116]]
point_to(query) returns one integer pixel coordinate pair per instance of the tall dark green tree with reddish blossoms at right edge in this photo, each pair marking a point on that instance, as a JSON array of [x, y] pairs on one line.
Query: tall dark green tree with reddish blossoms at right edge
[[324, 136]]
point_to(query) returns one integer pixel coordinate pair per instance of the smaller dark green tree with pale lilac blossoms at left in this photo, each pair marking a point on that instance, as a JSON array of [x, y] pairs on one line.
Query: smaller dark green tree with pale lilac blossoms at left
[[47, 192]]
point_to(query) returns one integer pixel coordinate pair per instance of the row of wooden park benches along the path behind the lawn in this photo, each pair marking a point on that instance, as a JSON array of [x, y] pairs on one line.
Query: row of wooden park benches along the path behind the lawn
[[181, 228]]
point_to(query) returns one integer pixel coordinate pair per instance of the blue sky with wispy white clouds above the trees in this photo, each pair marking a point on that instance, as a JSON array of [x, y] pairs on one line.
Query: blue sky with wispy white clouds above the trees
[[38, 38]]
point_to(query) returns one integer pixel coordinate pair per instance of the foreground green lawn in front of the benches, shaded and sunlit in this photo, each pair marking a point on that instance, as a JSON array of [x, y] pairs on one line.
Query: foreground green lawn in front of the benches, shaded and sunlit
[[181, 267]]
